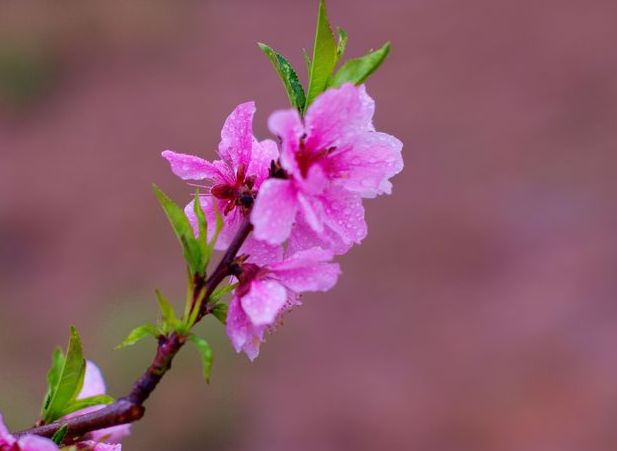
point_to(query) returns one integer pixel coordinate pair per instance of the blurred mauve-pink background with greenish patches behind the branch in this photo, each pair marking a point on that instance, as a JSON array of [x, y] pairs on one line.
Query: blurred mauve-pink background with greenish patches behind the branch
[[478, 315]]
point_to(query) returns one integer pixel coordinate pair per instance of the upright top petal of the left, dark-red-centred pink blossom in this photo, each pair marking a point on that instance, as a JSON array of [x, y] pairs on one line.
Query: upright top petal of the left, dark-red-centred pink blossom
[[237, 136]]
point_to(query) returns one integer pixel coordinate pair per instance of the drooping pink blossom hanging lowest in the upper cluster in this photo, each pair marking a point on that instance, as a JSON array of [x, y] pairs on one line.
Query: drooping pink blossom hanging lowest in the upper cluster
[[266, 292]]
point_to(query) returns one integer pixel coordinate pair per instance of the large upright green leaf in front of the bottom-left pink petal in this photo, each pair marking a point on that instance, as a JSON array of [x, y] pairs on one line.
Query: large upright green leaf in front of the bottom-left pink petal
[[70, 379]]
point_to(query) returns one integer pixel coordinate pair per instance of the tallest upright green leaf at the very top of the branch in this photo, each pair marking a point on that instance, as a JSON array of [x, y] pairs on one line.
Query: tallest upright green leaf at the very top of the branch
[[324, 56]]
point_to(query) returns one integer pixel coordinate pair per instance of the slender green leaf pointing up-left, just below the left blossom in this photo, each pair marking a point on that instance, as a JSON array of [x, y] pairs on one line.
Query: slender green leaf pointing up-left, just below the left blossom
[[184, 232]]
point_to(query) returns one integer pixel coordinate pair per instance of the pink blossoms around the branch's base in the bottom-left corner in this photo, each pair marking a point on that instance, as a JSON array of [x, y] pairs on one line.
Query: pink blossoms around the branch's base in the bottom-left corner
[[102, 440]]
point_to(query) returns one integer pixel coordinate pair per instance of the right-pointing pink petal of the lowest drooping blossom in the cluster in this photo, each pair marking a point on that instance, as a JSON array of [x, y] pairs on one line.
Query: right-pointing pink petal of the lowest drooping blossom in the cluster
[[308, 270]]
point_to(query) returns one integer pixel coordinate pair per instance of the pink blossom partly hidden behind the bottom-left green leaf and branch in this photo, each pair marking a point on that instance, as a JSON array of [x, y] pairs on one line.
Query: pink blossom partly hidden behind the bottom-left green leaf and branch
[[94, 385]]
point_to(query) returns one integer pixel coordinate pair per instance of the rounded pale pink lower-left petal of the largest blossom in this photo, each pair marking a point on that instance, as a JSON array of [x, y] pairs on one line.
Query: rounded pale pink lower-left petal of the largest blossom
[[274, 211]]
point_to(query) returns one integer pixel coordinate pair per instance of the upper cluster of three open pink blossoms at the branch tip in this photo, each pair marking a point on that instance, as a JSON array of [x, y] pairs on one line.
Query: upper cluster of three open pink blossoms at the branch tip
[[303, 198]]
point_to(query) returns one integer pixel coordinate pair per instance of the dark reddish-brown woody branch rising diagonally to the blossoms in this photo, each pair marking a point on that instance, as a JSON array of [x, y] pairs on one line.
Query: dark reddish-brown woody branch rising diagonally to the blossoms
[[130, 408]]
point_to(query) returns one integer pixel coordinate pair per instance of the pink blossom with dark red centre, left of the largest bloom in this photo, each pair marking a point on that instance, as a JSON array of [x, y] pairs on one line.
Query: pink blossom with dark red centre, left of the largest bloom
[[233, 180]]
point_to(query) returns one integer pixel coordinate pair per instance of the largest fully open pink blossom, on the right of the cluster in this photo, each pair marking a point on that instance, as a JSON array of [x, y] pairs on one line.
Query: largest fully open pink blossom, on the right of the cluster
[[329, 163]]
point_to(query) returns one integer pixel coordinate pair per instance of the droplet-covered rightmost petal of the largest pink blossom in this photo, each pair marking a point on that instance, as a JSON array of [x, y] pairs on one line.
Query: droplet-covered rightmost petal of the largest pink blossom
[[366, 166]]
